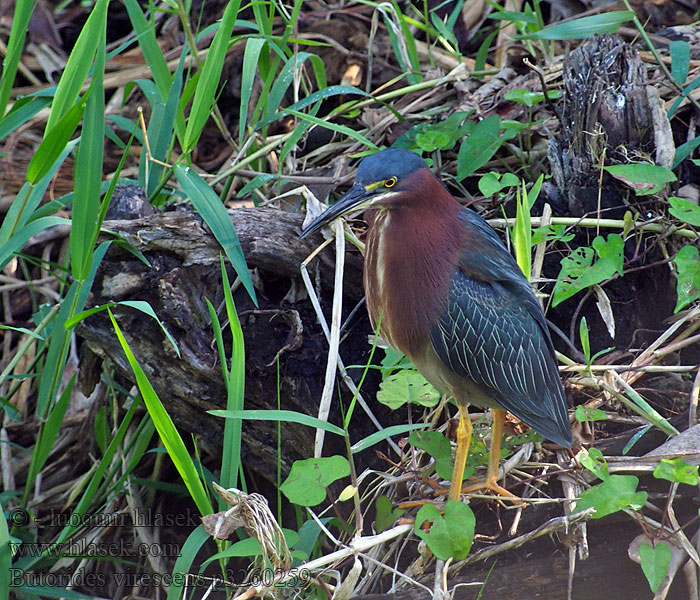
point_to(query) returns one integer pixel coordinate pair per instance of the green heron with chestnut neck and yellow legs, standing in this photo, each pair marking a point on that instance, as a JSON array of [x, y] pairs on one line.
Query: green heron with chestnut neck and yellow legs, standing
[[447, 293]]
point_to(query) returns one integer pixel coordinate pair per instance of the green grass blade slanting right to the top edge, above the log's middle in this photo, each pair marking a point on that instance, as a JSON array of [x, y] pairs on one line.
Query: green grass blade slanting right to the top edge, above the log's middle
[[209, 79]]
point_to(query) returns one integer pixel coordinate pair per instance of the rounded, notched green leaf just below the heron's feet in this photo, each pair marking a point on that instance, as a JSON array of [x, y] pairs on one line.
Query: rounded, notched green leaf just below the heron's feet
[[448, 536]]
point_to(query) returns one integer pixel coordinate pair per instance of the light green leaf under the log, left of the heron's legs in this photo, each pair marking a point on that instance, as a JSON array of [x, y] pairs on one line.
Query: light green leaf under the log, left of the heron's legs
[[308, 479]]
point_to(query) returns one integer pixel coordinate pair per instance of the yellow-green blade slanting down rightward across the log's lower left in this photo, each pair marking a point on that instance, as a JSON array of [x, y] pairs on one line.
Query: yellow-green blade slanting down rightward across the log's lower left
[[166, 429]]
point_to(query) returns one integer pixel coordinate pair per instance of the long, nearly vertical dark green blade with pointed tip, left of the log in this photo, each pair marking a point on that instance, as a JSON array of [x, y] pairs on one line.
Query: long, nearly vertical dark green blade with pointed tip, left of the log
[[88, 170]]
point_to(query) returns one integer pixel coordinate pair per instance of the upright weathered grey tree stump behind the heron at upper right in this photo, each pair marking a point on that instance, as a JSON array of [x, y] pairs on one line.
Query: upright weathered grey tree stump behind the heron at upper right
[[609, 115]]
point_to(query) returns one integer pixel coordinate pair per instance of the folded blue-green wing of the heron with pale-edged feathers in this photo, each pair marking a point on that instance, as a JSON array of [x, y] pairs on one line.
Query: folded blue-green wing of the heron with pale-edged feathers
[[493, 331]]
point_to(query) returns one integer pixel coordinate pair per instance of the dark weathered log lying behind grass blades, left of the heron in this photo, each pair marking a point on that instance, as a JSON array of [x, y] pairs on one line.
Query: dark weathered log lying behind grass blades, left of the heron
[[184, 270]]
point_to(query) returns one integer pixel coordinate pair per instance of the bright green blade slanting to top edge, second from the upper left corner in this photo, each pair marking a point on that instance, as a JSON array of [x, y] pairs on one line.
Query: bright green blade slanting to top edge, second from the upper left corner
[[78, 65]]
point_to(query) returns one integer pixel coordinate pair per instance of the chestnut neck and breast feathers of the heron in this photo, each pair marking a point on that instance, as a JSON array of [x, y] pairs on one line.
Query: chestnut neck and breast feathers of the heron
[[413, 247]]
